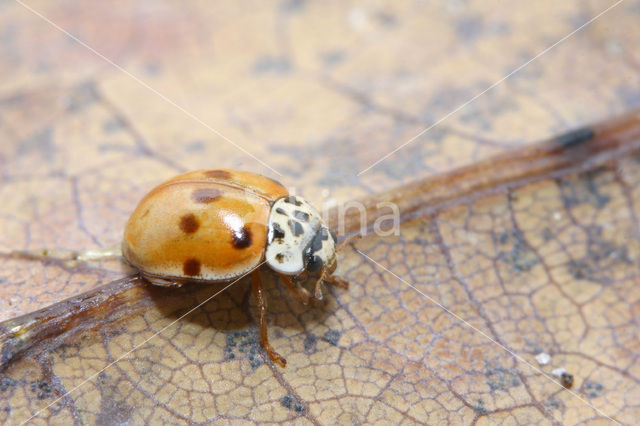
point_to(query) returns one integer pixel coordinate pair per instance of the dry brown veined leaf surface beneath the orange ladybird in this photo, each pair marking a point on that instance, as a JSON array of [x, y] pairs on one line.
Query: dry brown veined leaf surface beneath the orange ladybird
[[537, 248]]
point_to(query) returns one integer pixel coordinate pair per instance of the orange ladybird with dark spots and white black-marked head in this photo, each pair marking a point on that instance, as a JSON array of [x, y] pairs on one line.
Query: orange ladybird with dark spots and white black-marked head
[[211, 226]]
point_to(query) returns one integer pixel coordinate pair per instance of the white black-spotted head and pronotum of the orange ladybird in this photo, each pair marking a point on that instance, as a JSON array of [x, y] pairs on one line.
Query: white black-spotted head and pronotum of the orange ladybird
[[298, 239]]
